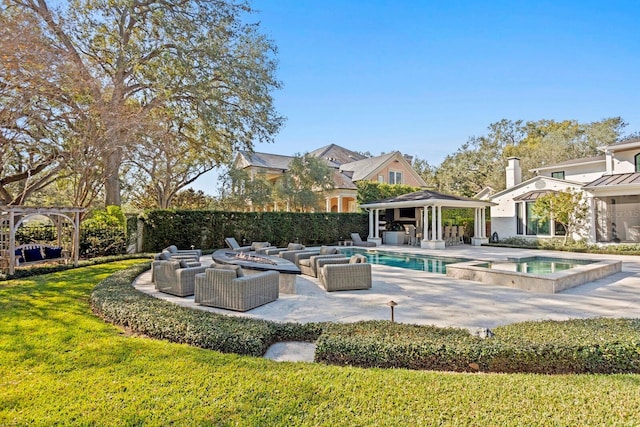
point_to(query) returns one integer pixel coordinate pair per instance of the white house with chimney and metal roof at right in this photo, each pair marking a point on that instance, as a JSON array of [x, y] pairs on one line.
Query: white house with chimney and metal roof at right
[[609, 183]]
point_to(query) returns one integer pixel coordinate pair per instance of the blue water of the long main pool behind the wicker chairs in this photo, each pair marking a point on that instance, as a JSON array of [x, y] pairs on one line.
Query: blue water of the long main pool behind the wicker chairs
[[411, 261]]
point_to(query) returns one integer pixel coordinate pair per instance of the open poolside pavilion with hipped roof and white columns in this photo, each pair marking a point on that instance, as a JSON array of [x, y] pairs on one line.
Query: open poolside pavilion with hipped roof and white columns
[[429, 201]]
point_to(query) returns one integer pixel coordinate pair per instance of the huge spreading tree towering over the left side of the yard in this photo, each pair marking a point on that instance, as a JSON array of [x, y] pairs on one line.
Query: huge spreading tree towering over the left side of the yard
[[193, 63]]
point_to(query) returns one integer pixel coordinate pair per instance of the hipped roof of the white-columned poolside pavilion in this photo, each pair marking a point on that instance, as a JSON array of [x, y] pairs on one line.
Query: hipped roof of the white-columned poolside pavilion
[[426, 198]]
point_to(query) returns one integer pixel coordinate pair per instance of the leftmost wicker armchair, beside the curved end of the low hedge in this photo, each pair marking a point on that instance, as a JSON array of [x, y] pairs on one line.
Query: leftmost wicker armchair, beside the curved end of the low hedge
[[175, 277]]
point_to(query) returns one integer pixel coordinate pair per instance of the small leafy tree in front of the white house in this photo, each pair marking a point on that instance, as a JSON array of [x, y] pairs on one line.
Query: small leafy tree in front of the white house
[[566, 208]]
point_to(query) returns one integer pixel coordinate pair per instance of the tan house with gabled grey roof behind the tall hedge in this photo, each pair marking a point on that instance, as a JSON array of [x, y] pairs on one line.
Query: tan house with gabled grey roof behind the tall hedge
[[349, 167]]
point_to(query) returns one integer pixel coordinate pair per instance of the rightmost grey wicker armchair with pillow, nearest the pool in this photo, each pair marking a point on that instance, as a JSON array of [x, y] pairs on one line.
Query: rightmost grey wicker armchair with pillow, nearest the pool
[[355, 275]]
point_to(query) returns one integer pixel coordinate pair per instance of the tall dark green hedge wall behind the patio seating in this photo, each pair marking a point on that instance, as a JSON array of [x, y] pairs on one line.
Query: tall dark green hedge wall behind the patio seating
[[207, 229]]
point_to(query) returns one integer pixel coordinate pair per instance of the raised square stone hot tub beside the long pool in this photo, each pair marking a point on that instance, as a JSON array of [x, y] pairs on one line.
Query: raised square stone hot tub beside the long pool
[[536, 274]]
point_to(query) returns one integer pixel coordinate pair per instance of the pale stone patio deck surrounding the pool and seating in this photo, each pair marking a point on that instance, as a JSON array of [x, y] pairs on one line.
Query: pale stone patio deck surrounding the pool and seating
[[435, 299]]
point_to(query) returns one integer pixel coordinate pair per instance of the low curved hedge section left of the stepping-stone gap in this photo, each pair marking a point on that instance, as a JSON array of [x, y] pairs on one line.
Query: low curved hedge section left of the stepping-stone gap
[[115, 300]]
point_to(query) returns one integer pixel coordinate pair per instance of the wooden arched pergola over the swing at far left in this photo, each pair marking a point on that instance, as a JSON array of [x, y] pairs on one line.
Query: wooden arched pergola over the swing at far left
[[11, 217]]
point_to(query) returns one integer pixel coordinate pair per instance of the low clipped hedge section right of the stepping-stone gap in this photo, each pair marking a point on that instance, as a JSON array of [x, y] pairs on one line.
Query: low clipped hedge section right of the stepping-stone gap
[[548, 347]]
